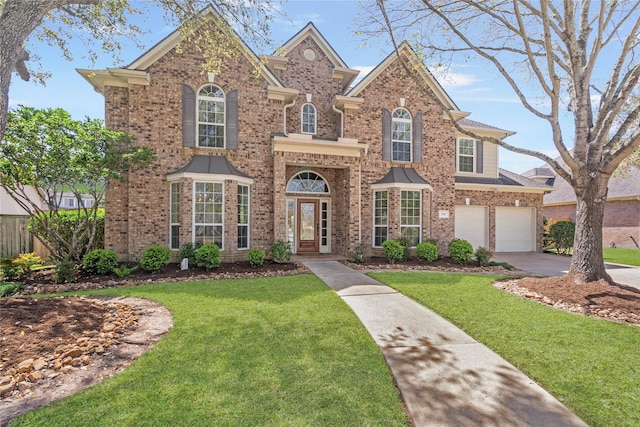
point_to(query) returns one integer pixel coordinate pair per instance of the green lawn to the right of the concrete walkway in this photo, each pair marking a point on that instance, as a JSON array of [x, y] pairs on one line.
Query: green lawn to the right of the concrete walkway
[[591, 365]]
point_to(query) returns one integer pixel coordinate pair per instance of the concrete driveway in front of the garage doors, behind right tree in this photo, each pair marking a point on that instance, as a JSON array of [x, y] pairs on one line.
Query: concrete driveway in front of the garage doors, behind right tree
[[544, 264]]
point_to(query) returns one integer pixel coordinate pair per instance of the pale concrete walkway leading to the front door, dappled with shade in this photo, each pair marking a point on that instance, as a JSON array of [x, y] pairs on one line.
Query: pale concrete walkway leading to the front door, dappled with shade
[[446, 378]]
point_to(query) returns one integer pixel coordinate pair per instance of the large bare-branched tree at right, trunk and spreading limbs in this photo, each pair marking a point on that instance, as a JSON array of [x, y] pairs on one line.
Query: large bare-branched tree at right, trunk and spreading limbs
[[550, 53]]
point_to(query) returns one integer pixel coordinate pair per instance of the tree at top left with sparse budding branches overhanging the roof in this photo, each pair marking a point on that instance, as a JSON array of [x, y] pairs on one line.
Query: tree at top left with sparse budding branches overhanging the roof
[[108, 24]]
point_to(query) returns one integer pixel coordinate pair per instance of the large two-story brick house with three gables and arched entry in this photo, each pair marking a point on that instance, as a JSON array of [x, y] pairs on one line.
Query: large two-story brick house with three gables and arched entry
[[295, 153]]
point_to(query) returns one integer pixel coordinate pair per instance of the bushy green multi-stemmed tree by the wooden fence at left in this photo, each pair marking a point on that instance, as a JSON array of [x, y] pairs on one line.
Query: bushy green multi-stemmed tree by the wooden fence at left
[[47, 150]]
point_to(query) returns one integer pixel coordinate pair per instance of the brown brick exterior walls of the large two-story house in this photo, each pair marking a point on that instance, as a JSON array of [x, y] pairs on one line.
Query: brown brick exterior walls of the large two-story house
[[138, 209]]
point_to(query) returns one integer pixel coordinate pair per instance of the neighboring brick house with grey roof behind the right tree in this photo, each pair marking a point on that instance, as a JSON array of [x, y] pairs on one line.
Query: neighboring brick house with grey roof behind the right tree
[[621, 214]]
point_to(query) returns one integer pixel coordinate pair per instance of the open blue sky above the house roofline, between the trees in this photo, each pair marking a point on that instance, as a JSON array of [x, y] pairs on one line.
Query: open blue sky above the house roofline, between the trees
[[473, 86]]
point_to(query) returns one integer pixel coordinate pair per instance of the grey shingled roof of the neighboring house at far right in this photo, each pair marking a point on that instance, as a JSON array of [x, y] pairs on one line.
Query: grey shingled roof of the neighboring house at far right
[[621, 187]]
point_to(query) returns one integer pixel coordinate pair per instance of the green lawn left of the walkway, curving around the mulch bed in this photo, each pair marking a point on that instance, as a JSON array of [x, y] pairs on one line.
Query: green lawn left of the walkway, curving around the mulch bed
[[276, 351]]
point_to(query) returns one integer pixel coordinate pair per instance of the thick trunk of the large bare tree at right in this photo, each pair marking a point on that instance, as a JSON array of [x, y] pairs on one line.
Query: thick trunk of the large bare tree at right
[[587, 263]]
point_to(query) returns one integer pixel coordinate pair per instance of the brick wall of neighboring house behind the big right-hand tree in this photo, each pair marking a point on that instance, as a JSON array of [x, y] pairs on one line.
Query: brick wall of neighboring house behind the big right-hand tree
[[621, 220]]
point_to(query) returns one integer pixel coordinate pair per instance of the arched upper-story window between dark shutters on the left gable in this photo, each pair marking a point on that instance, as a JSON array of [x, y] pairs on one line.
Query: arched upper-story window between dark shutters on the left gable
[[211, 106]]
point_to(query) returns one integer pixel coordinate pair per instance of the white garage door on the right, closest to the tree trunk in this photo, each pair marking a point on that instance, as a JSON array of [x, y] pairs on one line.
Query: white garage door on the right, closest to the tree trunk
[[515, 229]]
